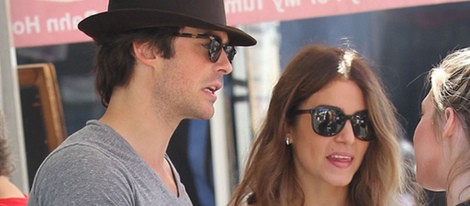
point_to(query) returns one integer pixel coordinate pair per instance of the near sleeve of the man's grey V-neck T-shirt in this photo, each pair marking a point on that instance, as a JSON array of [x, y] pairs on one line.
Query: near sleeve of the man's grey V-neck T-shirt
[[81, 175]]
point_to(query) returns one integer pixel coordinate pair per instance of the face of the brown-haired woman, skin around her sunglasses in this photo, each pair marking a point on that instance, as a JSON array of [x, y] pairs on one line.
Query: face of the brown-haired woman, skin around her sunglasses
[[330, 161]]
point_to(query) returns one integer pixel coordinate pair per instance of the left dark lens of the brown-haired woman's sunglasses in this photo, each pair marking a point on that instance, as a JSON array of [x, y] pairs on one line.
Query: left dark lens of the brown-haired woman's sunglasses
[[327, 121]]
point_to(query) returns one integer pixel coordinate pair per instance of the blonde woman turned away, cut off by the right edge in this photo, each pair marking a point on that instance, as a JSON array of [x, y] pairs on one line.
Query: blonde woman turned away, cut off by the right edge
[[442, 137]]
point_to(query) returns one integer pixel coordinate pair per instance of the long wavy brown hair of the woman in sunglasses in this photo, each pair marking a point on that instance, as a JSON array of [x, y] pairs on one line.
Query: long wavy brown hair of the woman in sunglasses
[[269, 178]]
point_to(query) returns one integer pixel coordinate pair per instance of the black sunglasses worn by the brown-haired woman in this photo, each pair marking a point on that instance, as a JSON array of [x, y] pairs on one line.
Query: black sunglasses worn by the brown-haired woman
[[328, 121]]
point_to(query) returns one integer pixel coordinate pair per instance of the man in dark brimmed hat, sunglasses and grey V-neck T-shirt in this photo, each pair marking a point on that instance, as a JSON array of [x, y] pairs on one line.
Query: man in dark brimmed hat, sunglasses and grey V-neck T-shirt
[[158, 62]]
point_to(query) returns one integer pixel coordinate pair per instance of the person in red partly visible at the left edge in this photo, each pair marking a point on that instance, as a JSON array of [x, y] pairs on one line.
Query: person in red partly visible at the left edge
[[9, 194]]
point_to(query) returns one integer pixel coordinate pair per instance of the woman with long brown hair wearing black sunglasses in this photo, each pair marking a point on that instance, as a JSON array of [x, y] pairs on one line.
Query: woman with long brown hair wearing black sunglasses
[[330, 137]]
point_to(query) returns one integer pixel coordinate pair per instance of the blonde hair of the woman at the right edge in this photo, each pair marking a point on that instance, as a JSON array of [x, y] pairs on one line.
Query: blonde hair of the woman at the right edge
[[450, 88]]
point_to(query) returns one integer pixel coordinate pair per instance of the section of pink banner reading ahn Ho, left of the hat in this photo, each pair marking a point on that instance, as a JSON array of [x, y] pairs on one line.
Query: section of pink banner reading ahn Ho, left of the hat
[[46, 22]]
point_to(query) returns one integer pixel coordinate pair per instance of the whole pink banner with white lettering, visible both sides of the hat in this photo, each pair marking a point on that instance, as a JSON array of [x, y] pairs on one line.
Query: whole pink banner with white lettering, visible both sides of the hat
[[47, 22]]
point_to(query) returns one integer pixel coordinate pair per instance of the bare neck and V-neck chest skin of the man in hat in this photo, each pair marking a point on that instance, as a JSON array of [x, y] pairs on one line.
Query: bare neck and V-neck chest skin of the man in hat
[[148, 134]]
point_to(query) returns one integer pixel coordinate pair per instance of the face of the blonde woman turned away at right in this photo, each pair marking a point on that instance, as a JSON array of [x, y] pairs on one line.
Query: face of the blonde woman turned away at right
[[428, 152]]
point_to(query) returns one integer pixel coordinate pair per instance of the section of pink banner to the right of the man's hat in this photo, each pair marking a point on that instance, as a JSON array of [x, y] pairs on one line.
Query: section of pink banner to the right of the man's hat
[[253, 11]]
